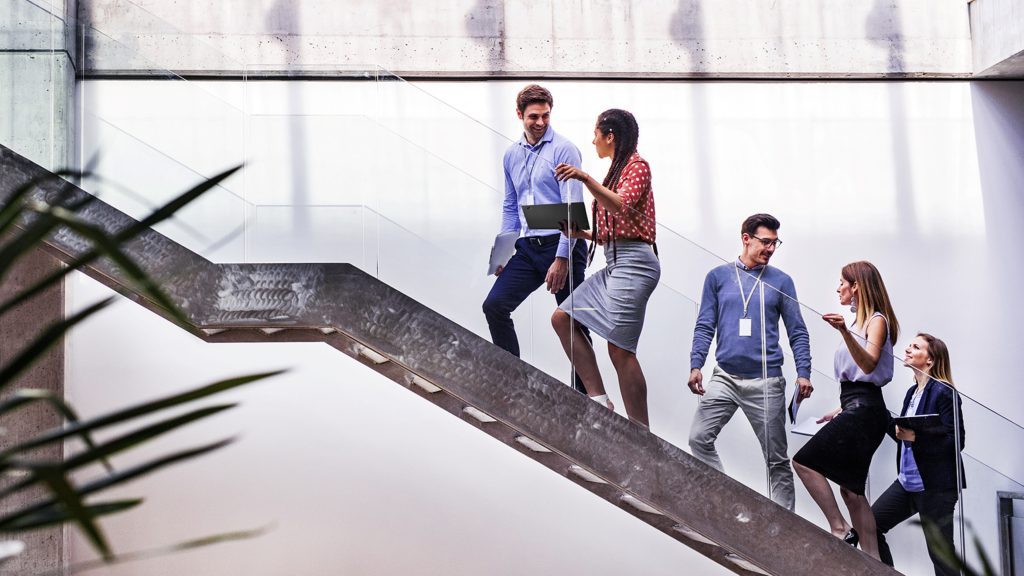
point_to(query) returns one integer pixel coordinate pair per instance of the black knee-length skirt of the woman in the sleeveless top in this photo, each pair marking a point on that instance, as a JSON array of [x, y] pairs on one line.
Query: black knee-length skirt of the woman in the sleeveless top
[[842, 450]]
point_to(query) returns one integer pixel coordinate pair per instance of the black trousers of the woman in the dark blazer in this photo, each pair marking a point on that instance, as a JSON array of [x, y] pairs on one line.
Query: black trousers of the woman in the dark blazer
[[897, 506]]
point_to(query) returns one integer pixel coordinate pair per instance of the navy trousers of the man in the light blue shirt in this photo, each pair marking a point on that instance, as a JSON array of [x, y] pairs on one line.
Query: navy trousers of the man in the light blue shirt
[[525, 274]]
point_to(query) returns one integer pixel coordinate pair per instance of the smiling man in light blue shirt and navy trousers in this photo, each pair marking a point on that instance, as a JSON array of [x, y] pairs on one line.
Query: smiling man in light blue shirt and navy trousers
[[542, 257]]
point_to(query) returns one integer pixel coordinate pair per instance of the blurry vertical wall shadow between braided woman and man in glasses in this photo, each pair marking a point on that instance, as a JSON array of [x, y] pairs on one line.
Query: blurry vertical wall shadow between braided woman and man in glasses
[[688, 31]]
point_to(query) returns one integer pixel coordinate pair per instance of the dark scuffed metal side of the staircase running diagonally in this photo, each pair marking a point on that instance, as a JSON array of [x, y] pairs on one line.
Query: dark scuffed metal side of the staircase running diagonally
[[470, 378]]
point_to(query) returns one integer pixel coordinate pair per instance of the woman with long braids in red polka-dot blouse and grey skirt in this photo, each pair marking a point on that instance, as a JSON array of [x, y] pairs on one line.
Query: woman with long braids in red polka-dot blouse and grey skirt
[[613, 302]]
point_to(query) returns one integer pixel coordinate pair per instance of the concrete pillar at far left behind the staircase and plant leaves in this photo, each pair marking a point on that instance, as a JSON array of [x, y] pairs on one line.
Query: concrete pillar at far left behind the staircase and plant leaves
[[37, 112]]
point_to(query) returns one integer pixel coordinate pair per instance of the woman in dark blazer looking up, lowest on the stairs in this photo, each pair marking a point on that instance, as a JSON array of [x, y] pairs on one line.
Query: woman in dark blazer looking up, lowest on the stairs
[[931, 473]]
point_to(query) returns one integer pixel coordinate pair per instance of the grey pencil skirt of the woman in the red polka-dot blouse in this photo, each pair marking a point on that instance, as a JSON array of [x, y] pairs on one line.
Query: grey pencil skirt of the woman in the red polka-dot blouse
[[613, 302]]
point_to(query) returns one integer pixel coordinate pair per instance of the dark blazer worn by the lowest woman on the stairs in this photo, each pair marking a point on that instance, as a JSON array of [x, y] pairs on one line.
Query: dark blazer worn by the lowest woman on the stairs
[[933, 450]]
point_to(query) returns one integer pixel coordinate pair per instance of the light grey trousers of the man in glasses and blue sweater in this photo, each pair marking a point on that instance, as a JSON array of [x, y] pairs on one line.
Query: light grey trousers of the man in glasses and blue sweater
[[723, 394]]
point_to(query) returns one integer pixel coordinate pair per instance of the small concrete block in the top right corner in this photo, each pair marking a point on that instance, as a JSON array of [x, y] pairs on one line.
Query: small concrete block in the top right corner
[[998, 38]]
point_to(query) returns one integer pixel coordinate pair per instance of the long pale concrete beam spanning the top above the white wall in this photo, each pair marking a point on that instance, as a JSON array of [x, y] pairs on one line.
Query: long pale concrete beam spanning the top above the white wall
[[653, 38]]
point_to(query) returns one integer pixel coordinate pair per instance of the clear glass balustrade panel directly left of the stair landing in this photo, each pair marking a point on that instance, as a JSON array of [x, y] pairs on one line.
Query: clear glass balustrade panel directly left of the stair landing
[[149, 141]]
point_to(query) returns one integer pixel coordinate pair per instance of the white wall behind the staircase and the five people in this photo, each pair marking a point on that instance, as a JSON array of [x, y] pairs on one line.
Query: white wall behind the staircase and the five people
[[921, 179]]
